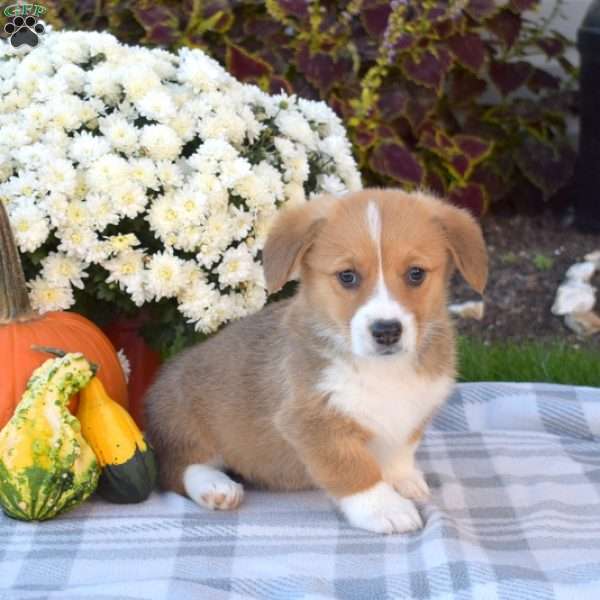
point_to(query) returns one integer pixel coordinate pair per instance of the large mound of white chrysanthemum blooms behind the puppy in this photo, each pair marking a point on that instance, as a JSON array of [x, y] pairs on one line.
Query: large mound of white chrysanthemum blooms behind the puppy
[[160, 168]]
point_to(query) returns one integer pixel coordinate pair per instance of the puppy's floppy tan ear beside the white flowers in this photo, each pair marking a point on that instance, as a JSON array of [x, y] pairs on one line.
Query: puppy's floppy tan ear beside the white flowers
[[292, 234]]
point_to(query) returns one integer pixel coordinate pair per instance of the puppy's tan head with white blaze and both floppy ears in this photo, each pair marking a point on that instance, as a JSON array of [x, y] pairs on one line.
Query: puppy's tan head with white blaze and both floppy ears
[[375, 264]]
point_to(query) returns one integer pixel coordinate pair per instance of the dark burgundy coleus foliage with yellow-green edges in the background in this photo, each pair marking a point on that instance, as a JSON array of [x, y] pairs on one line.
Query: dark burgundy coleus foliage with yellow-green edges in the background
[[466, 97]]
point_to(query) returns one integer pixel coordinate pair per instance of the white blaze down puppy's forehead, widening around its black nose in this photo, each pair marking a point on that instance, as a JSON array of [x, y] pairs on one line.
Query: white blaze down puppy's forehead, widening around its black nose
[[381, 305]]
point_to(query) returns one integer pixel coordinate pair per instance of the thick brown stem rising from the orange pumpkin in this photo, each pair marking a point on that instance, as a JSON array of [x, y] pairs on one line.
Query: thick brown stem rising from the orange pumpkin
[[14, 299]]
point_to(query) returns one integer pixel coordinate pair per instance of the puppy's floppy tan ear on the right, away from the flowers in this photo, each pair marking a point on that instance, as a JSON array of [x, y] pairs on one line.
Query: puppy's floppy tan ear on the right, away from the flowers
[[466, 245]]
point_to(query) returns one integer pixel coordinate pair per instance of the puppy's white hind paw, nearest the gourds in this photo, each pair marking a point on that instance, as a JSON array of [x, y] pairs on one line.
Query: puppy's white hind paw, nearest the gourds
[[211, 488]]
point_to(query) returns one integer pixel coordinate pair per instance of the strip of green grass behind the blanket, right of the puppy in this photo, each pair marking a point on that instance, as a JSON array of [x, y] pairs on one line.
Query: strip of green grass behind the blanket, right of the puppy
[[552, 362]]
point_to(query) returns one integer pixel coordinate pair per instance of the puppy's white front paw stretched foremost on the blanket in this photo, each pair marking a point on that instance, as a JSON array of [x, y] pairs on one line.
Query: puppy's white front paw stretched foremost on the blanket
[[381, 509]]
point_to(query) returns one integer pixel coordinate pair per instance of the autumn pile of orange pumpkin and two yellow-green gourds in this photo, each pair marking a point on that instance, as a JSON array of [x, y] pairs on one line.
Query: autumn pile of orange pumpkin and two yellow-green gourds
[[46, 464]]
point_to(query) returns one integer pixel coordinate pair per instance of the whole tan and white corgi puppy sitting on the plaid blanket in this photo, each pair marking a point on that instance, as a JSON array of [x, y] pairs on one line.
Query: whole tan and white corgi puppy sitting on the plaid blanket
[[333, 387]]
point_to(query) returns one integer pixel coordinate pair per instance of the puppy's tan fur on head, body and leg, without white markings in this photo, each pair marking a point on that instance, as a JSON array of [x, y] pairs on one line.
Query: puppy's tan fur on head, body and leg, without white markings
[[248, 398]]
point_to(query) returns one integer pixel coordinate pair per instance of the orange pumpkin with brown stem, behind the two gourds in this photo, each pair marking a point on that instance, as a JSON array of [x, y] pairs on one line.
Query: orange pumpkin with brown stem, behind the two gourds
[[21, 328]]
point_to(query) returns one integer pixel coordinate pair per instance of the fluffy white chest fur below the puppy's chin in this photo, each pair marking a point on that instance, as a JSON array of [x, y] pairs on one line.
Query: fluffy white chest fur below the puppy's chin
[[385, 397]]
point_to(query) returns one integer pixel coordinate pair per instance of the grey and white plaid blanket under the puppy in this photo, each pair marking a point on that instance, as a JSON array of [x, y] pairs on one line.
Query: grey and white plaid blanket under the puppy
[[515, 514]]
